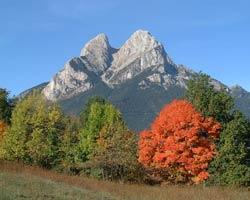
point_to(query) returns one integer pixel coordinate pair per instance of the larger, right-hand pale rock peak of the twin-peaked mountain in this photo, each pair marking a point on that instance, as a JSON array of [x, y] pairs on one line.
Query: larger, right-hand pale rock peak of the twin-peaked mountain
[[139, 53]]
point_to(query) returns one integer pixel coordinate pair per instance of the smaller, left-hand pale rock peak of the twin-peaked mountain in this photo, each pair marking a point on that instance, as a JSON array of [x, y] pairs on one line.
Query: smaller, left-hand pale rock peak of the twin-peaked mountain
[[98, 53]]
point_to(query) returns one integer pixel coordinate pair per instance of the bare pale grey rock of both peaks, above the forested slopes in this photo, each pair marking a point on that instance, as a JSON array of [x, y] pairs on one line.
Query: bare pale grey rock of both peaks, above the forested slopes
[[141, 52]]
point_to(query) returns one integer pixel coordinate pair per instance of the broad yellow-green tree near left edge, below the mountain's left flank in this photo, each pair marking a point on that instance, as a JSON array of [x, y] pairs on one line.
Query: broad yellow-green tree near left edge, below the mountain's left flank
[[35, 131]]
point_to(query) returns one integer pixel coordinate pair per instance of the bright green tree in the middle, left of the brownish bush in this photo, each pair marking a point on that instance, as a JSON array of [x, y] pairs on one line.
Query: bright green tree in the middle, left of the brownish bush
[[99, 114]]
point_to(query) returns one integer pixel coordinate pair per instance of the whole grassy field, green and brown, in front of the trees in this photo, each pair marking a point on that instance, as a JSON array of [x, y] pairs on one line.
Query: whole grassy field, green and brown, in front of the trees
[[18, 182]]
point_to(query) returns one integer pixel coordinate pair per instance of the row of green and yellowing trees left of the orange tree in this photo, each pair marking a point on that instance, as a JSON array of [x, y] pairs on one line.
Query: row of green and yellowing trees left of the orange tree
[[97, 144]]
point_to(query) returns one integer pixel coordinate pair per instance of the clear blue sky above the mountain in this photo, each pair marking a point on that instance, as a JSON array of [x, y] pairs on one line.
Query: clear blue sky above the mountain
[[38, 37]]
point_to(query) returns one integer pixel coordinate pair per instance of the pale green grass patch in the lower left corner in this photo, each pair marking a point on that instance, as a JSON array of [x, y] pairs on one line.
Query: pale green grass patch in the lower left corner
[[22, 186]]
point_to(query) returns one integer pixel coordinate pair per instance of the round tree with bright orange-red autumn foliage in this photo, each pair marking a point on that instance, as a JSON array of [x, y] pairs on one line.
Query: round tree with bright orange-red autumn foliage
[[179, 145]]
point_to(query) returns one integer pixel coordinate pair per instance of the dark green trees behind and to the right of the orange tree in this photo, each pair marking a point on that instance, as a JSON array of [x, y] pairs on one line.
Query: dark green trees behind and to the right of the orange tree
[[229, 166]]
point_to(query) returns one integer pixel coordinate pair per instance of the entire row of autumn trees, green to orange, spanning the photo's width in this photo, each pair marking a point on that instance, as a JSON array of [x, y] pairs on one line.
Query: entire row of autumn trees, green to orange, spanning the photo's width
[[198, 139]]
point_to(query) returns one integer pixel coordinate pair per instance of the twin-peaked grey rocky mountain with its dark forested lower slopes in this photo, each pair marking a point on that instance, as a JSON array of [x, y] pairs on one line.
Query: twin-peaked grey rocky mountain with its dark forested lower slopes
[[139, 78]]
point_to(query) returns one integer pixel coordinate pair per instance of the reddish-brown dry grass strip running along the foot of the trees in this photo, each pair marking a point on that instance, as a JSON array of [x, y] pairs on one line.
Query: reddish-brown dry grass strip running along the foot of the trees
[[133, 192]]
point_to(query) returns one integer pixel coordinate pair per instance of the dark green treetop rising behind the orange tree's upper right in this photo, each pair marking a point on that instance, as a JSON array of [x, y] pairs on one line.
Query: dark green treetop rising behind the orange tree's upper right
[[210, 102]]
